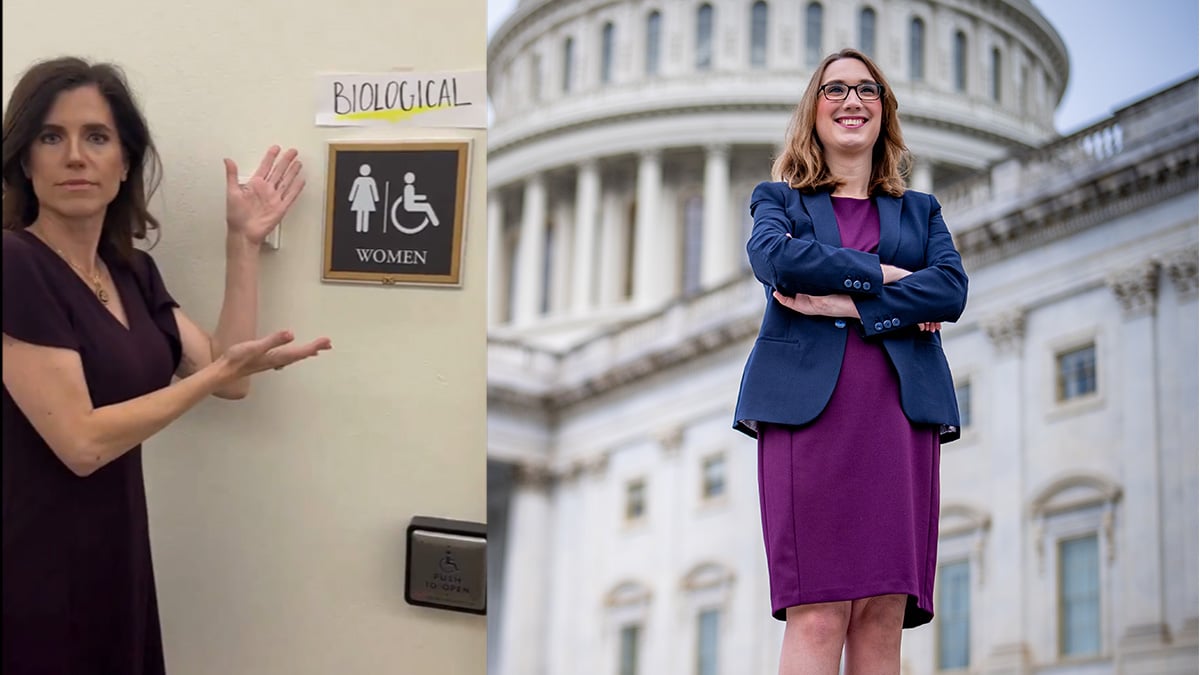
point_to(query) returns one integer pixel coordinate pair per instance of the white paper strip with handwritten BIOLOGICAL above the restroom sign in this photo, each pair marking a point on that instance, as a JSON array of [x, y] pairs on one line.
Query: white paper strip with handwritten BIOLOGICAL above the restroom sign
[[453, 99]]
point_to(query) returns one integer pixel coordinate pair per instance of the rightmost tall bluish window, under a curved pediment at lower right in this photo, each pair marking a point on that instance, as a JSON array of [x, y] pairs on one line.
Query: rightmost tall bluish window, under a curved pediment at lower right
[[1079, 596]]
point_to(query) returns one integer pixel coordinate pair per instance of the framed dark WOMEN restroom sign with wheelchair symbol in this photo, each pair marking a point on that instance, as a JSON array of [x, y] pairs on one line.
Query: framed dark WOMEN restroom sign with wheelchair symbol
[[395, 212]]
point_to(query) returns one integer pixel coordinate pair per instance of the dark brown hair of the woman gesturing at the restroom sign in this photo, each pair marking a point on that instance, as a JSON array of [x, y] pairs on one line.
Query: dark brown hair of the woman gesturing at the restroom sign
[[128, 217]]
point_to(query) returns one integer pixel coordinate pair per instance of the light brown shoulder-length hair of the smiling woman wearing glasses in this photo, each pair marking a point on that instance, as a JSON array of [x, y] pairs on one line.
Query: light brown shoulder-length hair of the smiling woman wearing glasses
[[803, 165]]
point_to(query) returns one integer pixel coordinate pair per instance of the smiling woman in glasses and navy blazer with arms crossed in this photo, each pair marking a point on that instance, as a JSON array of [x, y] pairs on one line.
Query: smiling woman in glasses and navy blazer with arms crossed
[[848, 390]]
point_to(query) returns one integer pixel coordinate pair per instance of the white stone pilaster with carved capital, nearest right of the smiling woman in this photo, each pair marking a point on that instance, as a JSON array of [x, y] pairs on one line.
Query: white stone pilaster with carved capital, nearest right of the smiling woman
[[1007, 649]]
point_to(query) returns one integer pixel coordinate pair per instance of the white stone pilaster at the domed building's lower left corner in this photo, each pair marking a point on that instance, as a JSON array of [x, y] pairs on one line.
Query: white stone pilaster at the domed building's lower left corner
[[524, 624]]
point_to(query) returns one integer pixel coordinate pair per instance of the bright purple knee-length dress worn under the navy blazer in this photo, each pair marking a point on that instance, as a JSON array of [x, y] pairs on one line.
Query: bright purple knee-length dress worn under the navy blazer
[[850, 501]]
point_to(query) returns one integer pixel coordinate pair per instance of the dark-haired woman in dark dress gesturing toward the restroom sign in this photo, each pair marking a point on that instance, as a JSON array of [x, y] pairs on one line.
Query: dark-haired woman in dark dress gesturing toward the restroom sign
[[92, 344]]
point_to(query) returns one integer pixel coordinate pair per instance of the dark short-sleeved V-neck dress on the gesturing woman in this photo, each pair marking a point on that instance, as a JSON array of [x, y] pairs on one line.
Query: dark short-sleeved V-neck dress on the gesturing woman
[[79, 583]]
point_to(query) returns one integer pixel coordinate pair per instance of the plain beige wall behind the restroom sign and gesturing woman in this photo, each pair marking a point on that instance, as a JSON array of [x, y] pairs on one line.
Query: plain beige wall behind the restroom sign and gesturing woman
[[278, 523]]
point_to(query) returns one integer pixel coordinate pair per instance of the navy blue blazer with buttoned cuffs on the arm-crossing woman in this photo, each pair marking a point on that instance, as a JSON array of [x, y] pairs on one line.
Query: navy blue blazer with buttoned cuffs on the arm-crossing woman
[[794, 367]]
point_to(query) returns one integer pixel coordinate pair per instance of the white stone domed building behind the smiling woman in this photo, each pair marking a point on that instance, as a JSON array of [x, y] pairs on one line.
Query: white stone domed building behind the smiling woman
[[623, 509]]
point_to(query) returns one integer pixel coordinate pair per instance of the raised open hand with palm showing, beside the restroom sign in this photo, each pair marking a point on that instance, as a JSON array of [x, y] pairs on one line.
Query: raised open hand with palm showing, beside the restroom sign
[[254, 210]]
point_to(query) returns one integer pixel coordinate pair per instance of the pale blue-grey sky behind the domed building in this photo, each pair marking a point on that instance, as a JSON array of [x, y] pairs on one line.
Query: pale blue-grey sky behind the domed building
[[1120, 51]]
